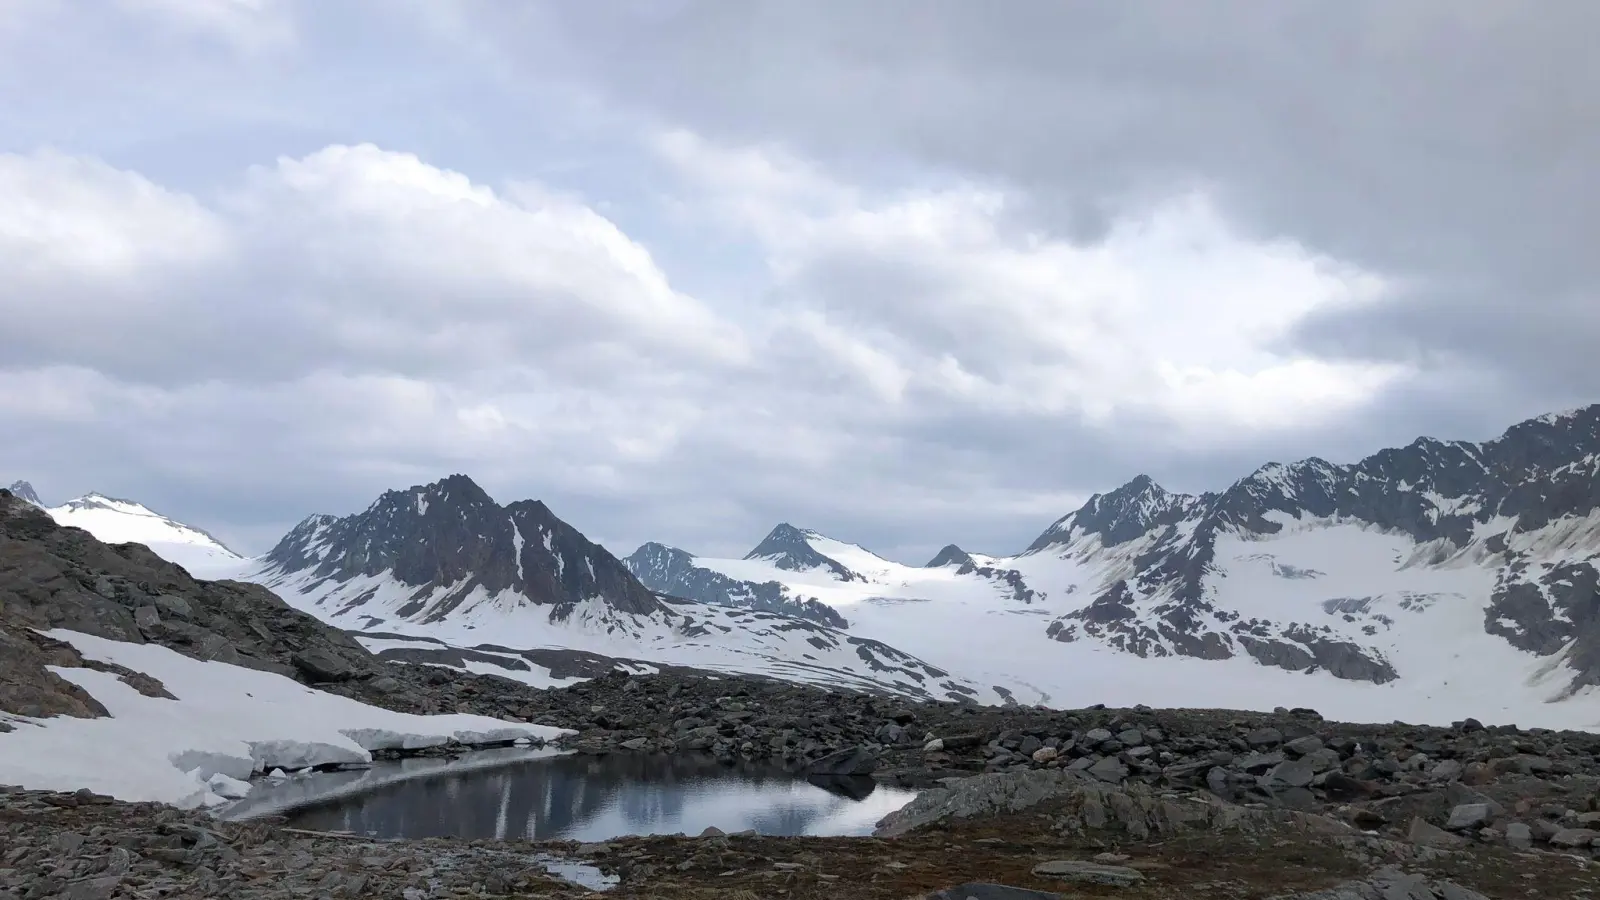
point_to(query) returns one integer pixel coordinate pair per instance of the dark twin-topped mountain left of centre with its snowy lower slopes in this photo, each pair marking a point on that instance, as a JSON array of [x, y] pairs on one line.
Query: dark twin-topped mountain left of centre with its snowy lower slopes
[[444, 569]]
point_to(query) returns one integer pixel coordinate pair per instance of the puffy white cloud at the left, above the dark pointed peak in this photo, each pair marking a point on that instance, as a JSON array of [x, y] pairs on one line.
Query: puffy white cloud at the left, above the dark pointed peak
[[348, 259]]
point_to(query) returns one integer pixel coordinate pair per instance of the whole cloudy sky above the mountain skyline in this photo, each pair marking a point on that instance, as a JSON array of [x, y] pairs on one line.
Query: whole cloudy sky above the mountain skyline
[[902, 271]]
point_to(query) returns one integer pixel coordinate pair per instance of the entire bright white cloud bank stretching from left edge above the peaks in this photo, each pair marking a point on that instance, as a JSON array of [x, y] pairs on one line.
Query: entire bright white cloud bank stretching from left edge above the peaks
[[362, 318]]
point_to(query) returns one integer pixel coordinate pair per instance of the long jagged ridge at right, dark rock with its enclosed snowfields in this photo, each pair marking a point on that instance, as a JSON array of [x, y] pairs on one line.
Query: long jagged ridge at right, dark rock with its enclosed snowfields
[[1358, 569]]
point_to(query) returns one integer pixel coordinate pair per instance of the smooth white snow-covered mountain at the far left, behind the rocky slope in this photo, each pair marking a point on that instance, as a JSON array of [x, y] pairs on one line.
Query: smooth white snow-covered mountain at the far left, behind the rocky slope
[[124, 521]]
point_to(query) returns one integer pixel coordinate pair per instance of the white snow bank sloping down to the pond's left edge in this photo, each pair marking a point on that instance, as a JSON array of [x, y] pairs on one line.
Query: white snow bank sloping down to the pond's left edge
[[226, 725]]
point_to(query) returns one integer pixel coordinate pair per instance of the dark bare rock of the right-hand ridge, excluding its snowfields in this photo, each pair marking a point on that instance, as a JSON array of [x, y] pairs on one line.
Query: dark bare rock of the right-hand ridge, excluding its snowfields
[[1449, 497]]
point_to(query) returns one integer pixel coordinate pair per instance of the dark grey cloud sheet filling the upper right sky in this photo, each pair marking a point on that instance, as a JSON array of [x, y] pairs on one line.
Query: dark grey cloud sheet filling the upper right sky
[[1447, 145]]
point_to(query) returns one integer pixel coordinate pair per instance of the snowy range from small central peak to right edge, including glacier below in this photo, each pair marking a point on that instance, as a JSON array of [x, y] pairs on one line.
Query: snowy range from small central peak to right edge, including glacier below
[[1431, 582]]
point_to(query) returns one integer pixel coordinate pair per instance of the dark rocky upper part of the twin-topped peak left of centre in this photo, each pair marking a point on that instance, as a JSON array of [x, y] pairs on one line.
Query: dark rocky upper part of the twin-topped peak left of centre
[[452, 536]]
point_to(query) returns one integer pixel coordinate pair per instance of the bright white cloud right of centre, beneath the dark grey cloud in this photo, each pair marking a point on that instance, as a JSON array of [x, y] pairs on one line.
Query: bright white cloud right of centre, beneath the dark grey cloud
[[946, 294]]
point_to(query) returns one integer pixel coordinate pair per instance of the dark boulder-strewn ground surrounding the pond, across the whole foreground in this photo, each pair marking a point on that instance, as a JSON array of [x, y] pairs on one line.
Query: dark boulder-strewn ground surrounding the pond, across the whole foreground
[[1092, 803]]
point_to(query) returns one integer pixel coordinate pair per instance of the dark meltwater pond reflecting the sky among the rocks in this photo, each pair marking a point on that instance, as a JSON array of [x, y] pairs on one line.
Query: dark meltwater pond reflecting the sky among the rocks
[[530, 795]]
